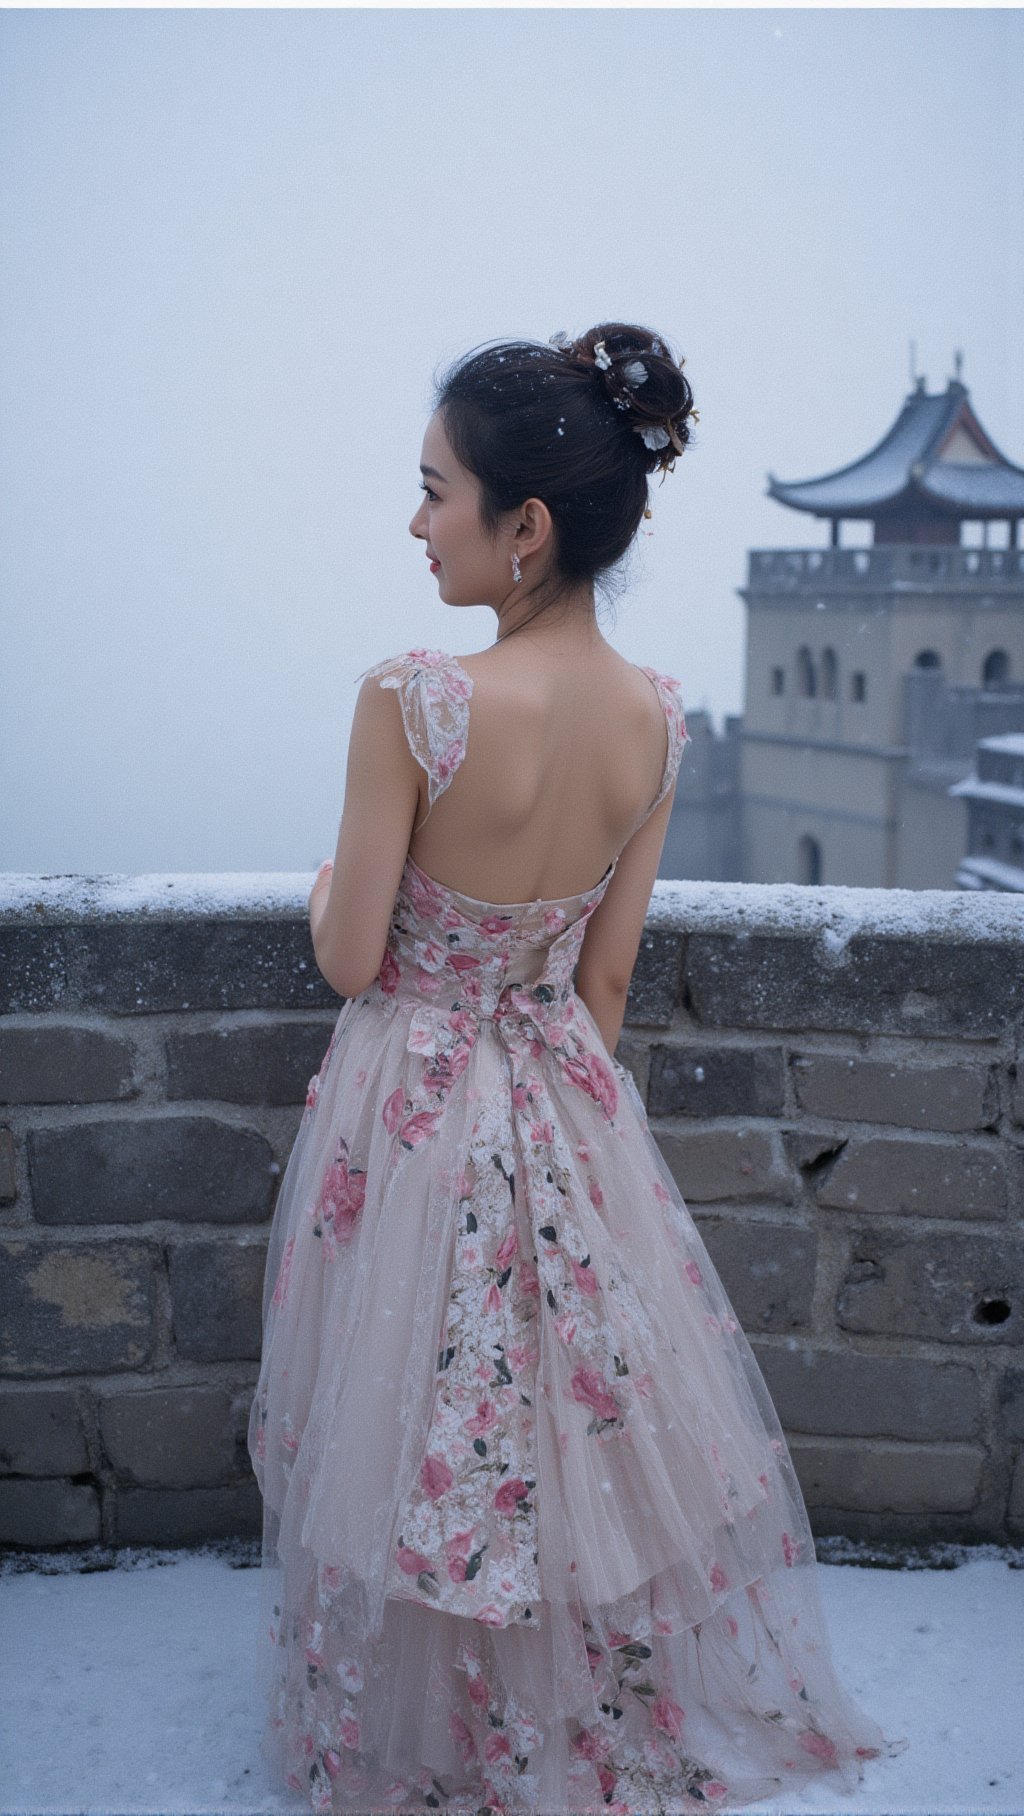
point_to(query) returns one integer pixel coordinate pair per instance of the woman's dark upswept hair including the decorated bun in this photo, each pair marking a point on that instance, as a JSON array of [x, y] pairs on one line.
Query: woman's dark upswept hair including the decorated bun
[[562, 422]]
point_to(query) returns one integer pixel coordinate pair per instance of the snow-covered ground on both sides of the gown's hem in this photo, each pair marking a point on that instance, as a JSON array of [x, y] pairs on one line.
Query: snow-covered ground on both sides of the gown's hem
[[132, 1690]]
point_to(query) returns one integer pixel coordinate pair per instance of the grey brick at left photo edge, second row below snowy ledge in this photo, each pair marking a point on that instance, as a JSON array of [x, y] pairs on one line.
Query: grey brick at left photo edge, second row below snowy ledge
[[64, 1065]]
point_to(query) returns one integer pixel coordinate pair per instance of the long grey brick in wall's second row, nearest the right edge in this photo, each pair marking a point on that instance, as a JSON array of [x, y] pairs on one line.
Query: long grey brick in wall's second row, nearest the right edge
[[878, 1091]]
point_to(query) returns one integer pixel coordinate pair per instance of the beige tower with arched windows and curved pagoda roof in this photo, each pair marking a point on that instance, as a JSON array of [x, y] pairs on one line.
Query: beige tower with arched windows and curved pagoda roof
[[872, 671]]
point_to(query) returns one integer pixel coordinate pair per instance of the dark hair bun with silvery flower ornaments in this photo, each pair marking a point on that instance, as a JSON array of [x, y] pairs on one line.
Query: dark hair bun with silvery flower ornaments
[[645, 384]]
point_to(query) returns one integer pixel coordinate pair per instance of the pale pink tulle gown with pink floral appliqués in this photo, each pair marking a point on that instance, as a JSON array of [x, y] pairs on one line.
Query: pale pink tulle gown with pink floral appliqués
[[533, 1537]]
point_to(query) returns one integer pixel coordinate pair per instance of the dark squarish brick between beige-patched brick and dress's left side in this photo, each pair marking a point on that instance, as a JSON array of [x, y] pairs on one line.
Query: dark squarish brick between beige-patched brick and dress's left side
[[217, 1292]]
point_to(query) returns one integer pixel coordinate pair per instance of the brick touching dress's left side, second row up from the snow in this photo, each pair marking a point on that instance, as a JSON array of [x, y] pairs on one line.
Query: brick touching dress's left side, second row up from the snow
[[170, 1437]]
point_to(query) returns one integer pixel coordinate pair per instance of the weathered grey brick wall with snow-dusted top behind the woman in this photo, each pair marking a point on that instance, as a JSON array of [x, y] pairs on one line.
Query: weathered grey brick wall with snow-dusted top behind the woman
[[834, 1076]]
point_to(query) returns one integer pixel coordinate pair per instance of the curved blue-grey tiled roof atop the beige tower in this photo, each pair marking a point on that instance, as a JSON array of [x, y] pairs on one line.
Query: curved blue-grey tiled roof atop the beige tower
[[907, 468]]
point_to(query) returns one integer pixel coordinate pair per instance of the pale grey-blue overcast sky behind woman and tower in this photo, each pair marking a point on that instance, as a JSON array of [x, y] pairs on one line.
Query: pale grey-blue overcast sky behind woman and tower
[[237, 244]]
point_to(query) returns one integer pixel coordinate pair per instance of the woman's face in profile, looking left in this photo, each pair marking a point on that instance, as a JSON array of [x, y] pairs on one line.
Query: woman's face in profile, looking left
[[471, 569]]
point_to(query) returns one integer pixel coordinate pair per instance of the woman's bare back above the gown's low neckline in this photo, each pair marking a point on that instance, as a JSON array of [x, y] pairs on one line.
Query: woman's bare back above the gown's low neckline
[[566, 753]]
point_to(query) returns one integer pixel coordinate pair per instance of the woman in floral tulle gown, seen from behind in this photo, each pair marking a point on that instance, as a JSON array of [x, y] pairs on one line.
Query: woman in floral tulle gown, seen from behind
[[533, 1535]]
